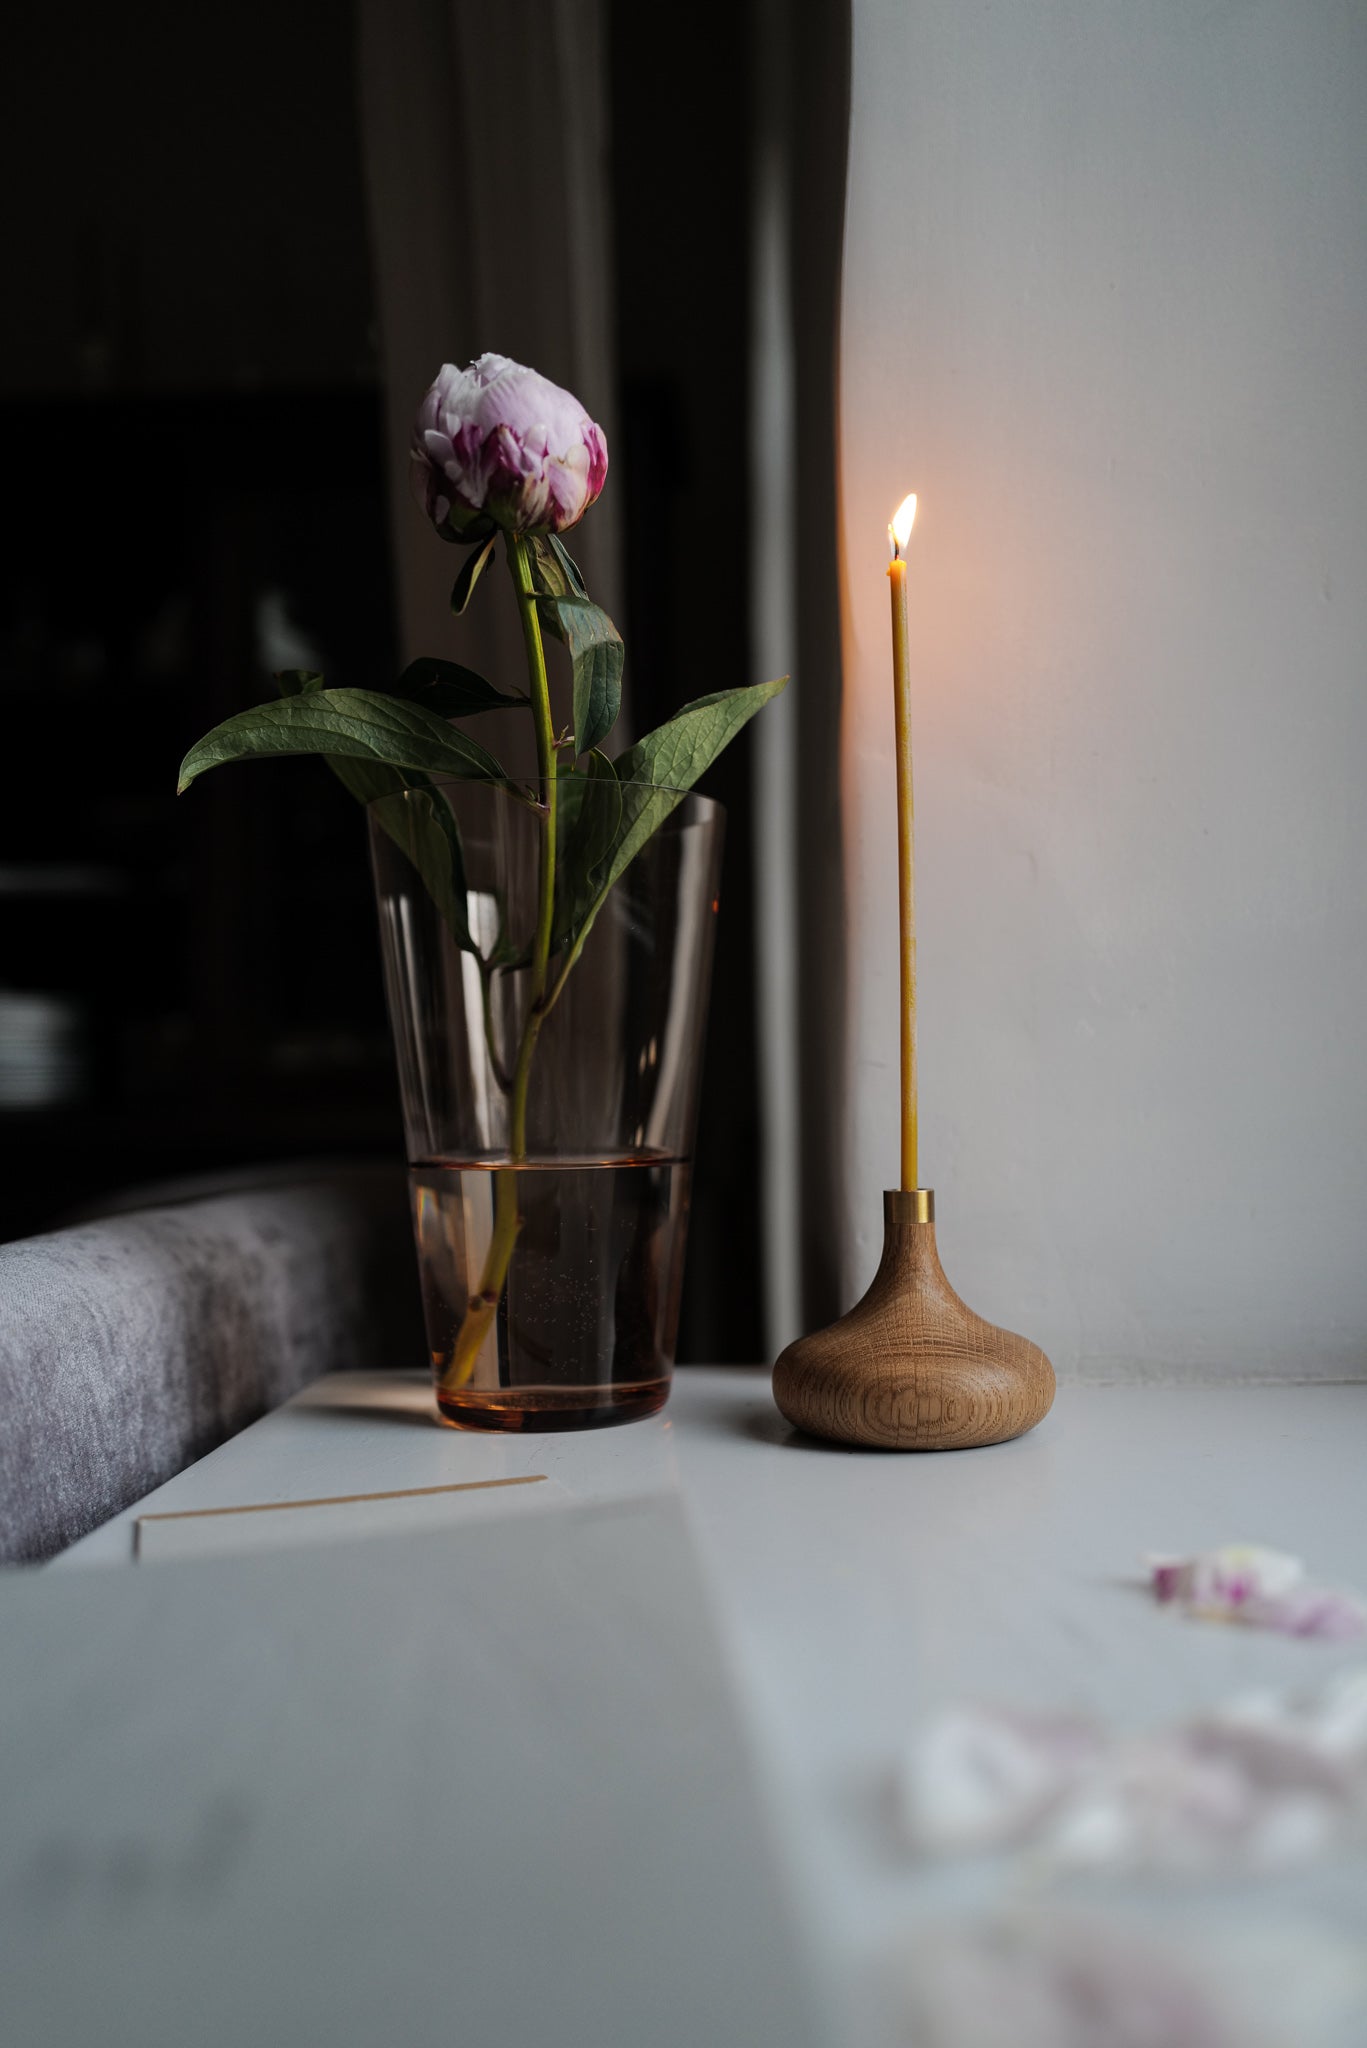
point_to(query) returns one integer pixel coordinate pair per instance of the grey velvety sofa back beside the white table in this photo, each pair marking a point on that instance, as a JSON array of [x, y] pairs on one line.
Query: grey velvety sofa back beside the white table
[[136, 1345]]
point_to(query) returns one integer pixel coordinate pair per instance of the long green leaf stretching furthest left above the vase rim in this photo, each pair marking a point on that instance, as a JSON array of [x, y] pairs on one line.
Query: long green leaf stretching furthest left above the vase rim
[[345, 724]]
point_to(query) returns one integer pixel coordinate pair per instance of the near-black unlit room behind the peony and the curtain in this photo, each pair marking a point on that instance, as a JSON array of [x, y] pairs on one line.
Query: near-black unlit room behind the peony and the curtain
[[192, 417]]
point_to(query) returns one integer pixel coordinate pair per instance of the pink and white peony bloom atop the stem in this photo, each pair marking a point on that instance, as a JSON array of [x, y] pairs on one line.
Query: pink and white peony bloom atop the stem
[[501, 445]]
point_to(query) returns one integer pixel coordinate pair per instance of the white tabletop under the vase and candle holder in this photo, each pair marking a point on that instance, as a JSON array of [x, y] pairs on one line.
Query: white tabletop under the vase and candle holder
[[858, 1592]]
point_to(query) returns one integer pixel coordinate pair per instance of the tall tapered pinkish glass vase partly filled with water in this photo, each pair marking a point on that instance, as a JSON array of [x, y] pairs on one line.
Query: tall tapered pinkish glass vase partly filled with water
[[552, 1267]]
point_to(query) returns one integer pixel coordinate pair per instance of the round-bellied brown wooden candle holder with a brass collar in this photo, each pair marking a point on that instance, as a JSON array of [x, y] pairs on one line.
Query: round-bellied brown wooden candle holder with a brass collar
[[911, 1367]]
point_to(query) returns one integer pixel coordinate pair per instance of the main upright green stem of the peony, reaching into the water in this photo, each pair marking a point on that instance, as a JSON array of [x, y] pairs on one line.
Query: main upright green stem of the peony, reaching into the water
[[507, 1218]]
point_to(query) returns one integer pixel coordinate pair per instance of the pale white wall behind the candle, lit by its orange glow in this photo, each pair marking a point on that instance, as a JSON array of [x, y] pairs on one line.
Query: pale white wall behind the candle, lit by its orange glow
[[1106, 310]]
